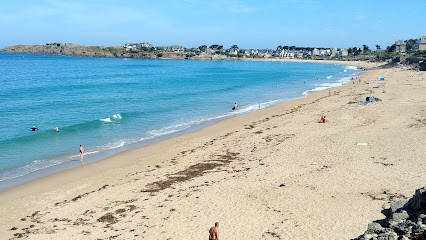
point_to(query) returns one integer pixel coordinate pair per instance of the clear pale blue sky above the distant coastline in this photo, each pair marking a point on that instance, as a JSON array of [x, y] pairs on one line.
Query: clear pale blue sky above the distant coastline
[[249, 24]]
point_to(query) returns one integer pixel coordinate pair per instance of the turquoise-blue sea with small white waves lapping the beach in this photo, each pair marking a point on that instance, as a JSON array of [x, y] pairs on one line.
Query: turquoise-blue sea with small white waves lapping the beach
[[106, 104]]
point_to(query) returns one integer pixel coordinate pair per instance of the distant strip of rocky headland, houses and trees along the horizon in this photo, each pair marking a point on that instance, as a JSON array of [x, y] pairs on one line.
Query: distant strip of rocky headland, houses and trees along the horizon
[[410, 51]]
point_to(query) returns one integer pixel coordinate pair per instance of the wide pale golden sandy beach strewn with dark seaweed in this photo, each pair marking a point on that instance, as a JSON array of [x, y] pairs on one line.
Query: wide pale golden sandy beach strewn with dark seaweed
[[230, 172]]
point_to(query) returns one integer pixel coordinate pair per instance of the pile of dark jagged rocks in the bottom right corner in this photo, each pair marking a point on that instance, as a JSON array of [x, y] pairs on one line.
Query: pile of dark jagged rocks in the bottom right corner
[[405, 219]]
